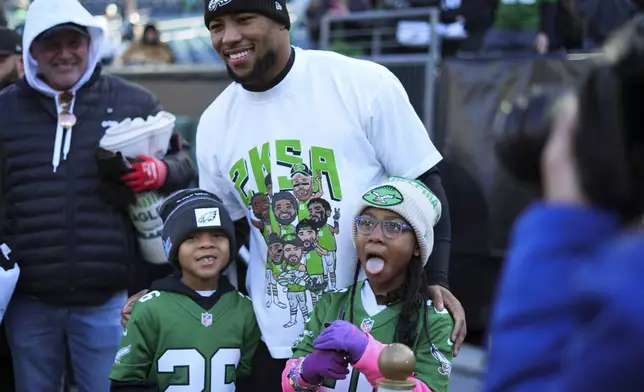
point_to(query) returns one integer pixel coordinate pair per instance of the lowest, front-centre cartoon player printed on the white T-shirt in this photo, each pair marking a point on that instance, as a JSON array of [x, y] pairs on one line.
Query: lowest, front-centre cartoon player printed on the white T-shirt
[[295, 278]]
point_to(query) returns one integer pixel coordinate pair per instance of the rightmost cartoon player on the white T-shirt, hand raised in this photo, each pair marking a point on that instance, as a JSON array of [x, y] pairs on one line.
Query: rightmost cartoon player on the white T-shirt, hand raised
[[320, 212]]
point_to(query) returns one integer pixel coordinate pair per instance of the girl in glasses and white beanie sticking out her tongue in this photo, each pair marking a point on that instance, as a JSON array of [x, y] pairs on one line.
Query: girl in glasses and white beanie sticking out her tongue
[[342, 339]]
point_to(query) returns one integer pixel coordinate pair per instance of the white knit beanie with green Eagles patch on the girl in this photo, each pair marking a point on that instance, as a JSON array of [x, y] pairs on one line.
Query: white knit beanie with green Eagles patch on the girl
[[410, 199]]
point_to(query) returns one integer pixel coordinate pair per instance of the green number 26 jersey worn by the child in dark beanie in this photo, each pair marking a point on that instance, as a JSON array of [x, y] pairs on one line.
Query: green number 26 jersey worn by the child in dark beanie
[[171, 341]]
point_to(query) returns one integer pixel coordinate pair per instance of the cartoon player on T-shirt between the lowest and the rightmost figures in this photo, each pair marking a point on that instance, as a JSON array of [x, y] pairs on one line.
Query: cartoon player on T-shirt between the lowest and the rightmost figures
[[307, 231]]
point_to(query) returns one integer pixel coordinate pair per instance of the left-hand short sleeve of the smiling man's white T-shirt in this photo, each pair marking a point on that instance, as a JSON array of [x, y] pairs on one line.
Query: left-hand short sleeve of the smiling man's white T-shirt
[[211, 178]]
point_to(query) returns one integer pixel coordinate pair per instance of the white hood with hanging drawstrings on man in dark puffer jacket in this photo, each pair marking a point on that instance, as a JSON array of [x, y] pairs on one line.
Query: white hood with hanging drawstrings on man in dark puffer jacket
[[41, 16]]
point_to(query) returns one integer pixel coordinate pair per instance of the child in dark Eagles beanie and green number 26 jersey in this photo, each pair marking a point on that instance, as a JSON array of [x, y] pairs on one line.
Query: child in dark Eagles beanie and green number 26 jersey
[[193, 330]]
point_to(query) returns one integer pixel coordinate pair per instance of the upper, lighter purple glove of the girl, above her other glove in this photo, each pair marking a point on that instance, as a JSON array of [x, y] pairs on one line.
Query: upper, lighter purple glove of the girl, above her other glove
[[343, 336]]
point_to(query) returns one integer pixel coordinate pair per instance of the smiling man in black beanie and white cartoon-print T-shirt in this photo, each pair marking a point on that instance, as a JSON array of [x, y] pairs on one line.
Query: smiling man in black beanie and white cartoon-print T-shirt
[[309, 131]]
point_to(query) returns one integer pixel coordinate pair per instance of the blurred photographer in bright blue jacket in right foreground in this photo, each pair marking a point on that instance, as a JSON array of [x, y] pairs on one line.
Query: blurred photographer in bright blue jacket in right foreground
[[569, 314]]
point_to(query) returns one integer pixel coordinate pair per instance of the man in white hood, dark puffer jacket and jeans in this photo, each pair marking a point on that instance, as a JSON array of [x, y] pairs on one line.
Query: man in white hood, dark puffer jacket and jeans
[[75, 248]]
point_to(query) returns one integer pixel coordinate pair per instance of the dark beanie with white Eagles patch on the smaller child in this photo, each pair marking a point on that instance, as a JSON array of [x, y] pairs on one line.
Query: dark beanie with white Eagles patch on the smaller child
[[188, 211]]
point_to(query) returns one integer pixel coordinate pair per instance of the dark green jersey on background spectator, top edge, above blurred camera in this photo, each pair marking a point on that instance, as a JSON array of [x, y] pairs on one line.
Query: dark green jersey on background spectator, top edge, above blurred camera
[[519, 14]]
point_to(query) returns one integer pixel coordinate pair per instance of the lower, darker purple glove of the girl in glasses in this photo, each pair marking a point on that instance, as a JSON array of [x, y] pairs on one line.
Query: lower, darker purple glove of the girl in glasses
[[324, 365]]
